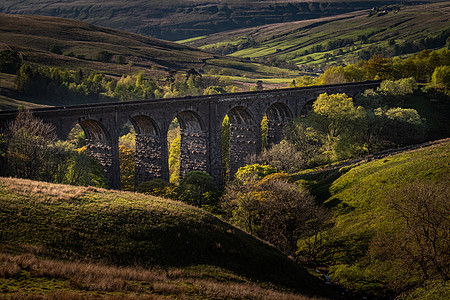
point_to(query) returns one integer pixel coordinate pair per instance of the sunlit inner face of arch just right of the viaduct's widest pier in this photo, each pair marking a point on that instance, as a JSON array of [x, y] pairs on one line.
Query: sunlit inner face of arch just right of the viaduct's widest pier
[[245, 137]]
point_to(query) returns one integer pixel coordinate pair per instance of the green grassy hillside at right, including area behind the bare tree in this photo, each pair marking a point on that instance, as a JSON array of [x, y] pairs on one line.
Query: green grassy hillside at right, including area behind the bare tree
[[363, 248]]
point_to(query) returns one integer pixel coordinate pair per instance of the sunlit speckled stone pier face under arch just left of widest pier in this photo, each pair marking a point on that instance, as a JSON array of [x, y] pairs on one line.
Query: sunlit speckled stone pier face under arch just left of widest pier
[[193, 152]]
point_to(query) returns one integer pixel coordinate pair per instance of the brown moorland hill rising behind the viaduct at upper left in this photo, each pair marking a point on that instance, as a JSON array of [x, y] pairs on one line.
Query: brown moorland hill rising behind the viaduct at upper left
[[74, 45]]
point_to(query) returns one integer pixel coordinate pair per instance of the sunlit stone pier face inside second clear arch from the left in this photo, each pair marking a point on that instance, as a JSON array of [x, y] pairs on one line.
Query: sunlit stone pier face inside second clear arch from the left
[[148, 163]]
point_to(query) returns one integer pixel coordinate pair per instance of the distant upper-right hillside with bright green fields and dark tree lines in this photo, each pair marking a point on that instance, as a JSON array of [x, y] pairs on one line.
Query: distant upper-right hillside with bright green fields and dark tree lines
[[344, 38]]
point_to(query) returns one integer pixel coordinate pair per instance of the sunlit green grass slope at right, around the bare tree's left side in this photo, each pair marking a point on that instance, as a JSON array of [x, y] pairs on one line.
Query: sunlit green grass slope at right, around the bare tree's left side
[[359, 196]]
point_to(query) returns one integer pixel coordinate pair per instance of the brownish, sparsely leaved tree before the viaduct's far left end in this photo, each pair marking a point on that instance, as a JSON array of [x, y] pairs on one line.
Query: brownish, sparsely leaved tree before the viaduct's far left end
[[27, 141]]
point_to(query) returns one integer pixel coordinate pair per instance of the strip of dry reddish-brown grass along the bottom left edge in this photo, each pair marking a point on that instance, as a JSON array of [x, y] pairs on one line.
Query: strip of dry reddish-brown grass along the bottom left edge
[[131, 283]]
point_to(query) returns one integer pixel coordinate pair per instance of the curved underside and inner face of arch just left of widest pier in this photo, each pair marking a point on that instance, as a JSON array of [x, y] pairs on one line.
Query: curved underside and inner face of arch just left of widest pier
[[193, 144]]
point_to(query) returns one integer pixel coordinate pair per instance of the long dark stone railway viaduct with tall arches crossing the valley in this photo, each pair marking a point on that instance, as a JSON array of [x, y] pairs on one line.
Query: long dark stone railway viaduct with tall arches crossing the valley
[[200, 120]]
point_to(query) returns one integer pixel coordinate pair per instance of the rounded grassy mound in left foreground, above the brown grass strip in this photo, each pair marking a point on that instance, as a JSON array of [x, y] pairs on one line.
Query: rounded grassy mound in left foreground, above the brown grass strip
[[129, 229]]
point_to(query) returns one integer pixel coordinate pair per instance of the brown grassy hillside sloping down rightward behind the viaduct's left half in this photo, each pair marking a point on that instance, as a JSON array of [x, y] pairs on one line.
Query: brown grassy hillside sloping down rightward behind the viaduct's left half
[[80, 43]]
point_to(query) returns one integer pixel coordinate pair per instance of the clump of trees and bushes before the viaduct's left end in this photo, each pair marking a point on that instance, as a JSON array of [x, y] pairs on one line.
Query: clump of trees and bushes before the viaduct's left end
[[33, 152]]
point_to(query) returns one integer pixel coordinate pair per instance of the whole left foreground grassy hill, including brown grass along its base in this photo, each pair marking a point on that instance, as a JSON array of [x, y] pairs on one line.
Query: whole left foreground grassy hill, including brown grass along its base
[[132, 230]]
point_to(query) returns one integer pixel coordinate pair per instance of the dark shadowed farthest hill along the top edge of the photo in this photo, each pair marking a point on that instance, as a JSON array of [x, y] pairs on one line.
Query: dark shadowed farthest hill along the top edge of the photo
[[181, 19]]
